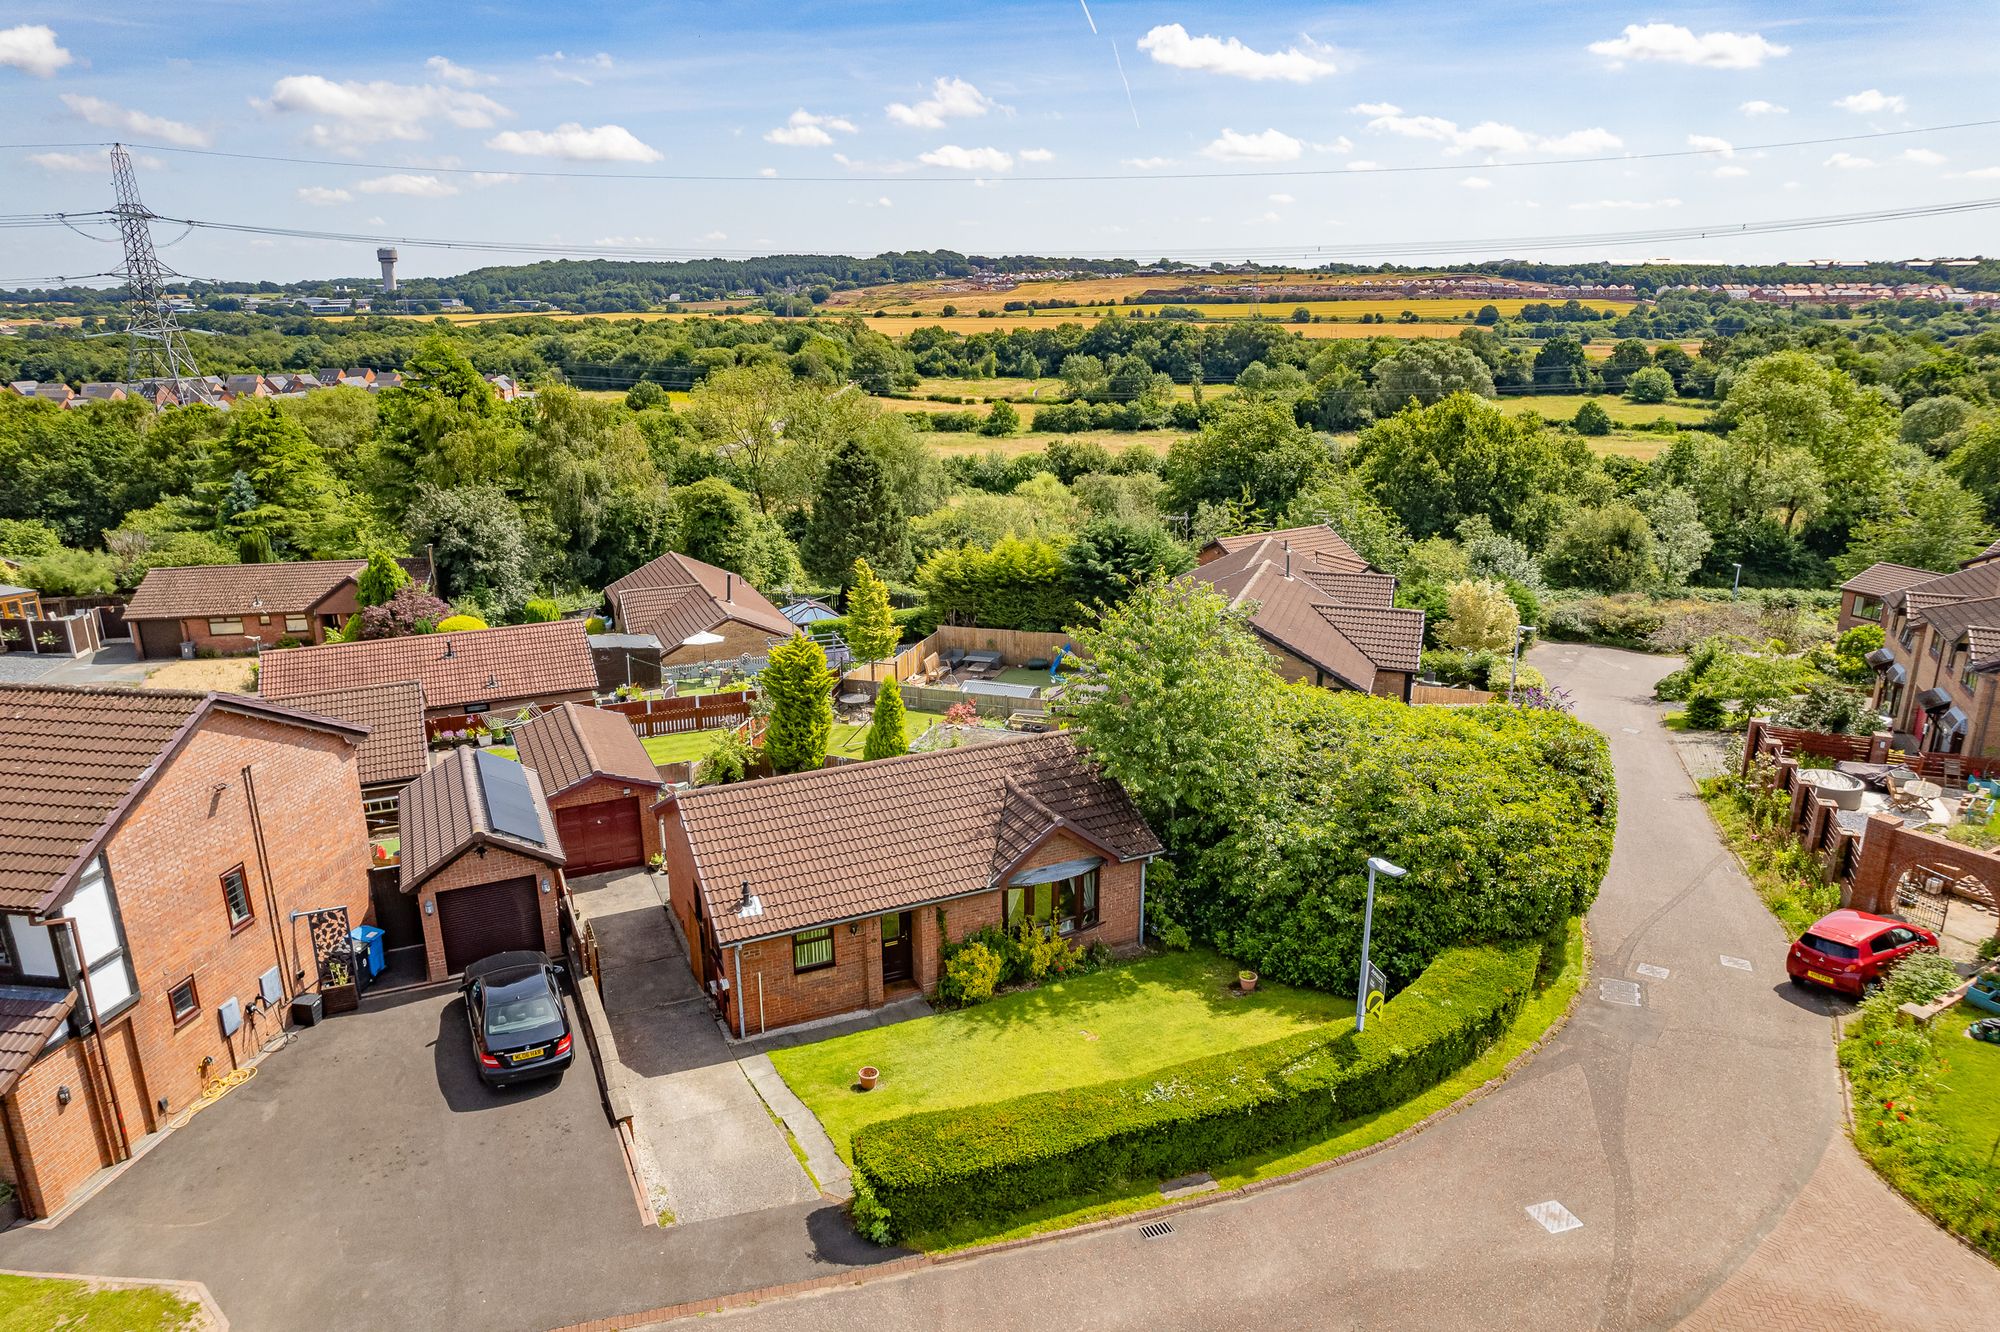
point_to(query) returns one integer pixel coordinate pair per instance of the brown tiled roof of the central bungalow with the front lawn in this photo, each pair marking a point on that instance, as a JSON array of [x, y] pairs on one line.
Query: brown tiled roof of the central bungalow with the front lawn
[[895, 833]]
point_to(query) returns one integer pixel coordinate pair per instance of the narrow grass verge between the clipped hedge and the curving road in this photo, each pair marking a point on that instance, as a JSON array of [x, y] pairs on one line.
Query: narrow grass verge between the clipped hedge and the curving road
[[1537, 1019]]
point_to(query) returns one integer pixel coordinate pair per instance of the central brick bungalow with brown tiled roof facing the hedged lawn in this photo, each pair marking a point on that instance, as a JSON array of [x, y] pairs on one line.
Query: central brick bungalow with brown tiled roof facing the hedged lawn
[[827, 893]]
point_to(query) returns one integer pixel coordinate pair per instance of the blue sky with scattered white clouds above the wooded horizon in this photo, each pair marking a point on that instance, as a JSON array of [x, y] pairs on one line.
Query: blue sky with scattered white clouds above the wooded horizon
[[939, 127]]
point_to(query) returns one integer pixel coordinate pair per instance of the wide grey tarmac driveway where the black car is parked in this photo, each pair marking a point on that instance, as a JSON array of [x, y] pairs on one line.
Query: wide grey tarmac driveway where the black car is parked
[[365, 1179]]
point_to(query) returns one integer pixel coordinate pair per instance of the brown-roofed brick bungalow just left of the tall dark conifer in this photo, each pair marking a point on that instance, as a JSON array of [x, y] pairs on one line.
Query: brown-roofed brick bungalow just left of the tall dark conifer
[[677, 597]]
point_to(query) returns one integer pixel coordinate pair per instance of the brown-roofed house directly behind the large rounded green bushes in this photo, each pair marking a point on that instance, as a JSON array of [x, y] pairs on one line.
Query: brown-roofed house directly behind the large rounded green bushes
[[1325, 615]]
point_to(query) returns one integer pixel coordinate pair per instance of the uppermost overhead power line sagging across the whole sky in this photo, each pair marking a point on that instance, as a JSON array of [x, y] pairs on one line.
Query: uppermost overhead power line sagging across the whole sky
[[911, 177]]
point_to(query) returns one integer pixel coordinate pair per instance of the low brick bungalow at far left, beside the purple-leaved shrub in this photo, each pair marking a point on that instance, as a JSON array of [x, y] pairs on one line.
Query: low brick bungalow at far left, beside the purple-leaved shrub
[[243, 607]]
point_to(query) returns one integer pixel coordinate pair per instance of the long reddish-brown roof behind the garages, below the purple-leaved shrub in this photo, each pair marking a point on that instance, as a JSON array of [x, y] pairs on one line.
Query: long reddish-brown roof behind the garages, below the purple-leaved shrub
[[501, 665]]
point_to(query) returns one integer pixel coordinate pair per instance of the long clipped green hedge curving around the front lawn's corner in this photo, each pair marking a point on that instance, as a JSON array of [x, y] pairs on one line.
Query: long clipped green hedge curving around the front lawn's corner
[[987, 1163]]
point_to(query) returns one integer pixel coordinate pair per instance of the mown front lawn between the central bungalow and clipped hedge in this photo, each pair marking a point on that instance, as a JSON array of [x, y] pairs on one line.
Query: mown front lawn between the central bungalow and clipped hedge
[[1091, 1029]]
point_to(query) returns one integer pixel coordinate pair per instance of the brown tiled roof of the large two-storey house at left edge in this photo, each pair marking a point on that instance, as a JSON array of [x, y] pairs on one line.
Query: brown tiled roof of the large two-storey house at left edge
[[75, 759]]
